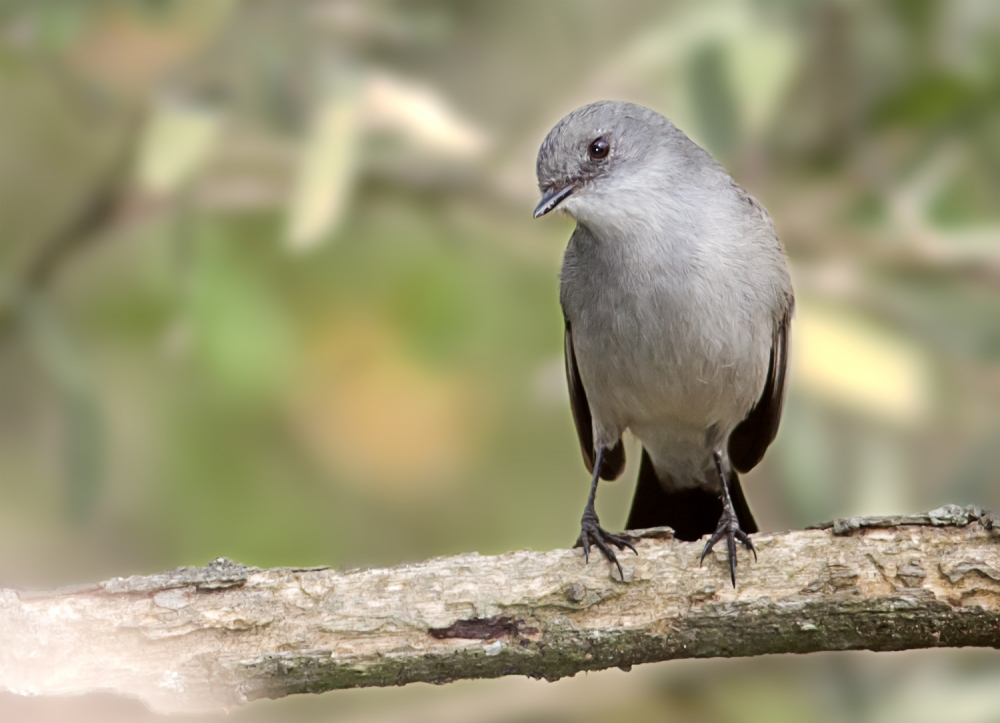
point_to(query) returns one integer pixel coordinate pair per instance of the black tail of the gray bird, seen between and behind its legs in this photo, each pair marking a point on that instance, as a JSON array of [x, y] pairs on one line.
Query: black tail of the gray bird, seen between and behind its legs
[[691, 511]]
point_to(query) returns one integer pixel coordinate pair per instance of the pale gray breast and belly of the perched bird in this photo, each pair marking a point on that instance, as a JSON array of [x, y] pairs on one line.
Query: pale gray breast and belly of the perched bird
[[672, 333]]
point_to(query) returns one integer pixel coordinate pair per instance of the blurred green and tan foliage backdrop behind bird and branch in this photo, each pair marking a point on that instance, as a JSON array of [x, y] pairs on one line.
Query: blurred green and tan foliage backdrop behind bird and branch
[[270, 289]]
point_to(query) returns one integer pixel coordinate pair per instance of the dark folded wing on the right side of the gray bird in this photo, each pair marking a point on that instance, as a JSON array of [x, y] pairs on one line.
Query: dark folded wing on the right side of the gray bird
[[754, 434]]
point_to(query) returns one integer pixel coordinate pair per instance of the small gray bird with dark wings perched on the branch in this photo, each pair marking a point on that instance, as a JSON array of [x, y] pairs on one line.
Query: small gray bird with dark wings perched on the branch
[[677, 304]]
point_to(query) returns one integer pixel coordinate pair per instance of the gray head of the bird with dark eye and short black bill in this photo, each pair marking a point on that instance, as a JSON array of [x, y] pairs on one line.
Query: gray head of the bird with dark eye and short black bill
[[595, 158]]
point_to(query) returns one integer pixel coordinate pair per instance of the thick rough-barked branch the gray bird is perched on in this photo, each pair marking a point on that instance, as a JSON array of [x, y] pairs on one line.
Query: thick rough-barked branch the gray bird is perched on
[[203, 638]]
